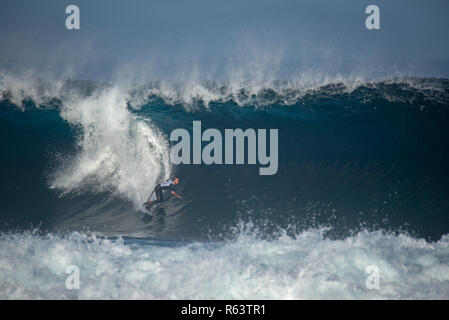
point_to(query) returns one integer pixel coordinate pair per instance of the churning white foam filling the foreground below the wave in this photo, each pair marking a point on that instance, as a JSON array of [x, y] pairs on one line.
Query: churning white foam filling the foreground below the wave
[[307, 267]]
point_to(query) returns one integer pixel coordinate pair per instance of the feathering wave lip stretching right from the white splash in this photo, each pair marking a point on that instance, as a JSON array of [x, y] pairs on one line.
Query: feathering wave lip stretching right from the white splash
[[291, 92]]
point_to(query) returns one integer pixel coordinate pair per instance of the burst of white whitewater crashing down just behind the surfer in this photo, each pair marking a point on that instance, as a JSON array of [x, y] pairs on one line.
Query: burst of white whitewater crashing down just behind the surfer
[[119, 150]]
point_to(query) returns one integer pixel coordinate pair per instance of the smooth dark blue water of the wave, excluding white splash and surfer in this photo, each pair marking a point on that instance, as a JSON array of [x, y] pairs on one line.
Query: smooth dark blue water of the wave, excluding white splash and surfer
[[371, 157]]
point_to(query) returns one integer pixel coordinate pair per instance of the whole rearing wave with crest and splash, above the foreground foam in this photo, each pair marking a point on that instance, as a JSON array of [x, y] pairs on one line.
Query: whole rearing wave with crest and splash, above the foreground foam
[[352, 155]]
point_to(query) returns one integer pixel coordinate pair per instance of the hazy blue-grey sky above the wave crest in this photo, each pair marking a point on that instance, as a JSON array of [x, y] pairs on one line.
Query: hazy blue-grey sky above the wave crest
[[170, 37]]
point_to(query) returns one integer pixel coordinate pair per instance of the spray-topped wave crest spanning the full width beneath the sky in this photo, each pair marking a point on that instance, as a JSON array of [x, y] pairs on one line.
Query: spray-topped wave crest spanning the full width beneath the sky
[[195, 92]]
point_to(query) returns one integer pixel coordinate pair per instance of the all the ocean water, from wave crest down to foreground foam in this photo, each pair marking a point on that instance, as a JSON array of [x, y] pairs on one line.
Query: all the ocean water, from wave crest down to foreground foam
[[363, 180]]
